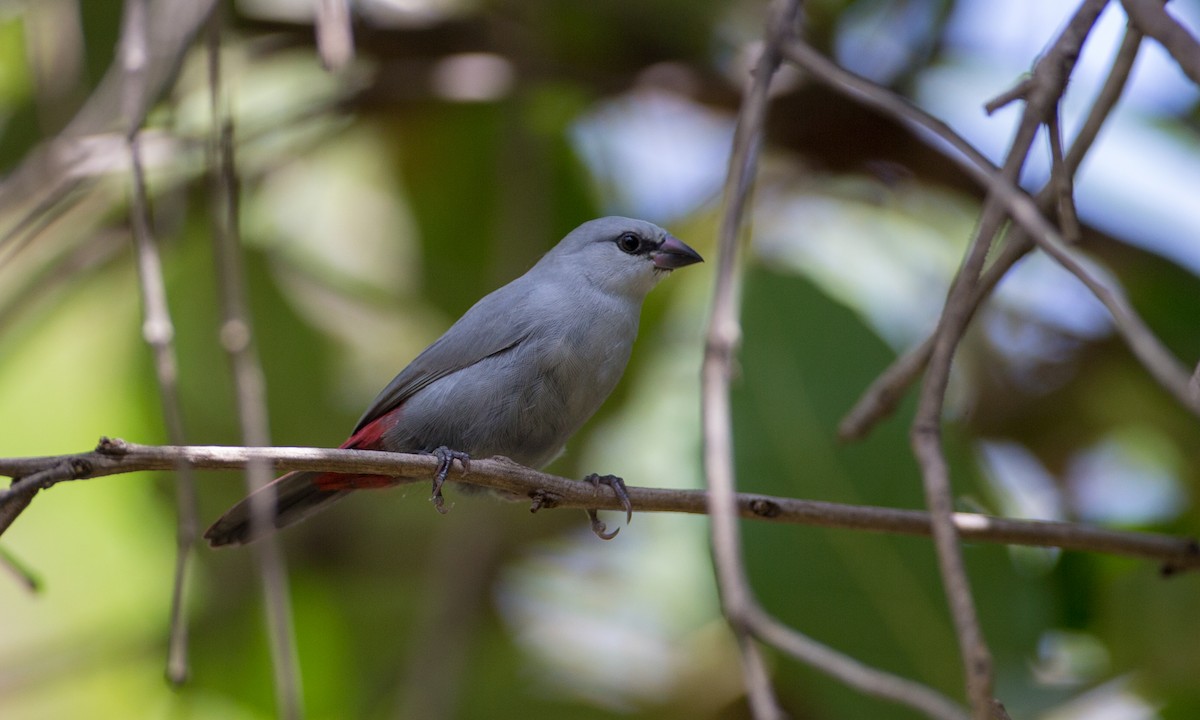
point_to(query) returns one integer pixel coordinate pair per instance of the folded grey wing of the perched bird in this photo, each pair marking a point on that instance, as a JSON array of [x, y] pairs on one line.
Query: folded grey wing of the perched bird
[[491, 327]]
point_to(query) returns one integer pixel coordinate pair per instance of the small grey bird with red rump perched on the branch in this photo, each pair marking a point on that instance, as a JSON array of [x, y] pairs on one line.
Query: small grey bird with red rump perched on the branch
[[517, 376]]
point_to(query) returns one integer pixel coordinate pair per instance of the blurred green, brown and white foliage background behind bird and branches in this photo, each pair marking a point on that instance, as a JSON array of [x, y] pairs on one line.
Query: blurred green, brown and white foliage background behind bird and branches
[[381, 201]]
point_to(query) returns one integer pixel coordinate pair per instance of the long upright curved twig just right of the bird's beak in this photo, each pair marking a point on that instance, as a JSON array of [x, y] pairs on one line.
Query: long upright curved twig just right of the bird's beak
[[724, 333]]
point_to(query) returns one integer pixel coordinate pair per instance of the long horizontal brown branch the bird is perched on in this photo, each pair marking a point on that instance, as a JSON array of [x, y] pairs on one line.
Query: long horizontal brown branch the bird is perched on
[[547, 491]]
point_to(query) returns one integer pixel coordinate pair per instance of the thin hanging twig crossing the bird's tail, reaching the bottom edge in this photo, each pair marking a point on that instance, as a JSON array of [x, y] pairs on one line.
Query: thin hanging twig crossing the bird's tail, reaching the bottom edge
[[250, 386]]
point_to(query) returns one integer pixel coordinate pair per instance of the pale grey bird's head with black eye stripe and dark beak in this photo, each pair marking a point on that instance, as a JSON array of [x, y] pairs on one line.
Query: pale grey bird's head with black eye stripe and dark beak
[[621, 255]]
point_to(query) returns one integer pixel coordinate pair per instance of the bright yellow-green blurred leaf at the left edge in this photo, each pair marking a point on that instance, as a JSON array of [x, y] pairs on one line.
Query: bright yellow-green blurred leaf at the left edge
[[103, 548]]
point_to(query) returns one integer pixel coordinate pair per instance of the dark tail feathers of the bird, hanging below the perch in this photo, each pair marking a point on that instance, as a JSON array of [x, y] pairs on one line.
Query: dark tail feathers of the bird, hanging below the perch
[[297, 497]]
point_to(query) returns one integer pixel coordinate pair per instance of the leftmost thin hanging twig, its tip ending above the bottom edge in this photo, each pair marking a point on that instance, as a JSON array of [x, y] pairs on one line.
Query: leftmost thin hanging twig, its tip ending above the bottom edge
[[158, 328]]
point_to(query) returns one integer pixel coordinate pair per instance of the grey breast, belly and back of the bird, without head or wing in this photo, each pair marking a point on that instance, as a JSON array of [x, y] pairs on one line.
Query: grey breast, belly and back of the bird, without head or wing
[[526, 401]]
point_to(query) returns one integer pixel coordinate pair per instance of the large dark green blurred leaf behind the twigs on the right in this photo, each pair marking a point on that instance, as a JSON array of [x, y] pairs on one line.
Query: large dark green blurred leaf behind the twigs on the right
[[879, 599]]
